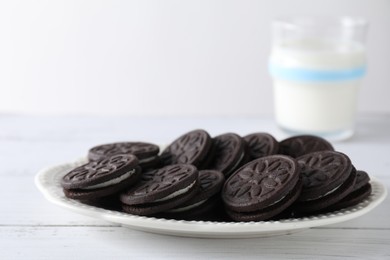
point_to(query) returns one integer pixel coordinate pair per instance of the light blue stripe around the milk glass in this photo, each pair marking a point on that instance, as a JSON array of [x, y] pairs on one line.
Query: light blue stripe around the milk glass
[[299, 74]]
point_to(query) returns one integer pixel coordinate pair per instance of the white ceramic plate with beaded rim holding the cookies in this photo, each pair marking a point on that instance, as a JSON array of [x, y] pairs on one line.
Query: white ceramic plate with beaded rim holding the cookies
[[48, 182]]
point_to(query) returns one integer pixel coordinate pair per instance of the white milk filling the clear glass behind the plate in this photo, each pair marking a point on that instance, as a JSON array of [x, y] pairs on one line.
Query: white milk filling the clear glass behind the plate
[[316, 83]]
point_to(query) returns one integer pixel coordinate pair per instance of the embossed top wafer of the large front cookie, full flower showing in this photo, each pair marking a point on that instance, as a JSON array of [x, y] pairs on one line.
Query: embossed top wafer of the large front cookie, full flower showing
[[260, 183]]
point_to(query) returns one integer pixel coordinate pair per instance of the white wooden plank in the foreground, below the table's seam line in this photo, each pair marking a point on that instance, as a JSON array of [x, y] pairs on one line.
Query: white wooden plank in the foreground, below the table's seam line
[[119, 243]]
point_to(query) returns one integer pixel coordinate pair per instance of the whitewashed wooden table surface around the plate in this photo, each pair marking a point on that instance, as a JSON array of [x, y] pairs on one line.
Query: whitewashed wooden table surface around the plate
[[33, 228]]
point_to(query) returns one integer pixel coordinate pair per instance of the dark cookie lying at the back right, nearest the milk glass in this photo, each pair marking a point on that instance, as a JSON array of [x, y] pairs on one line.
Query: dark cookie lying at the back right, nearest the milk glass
[[303, 144]]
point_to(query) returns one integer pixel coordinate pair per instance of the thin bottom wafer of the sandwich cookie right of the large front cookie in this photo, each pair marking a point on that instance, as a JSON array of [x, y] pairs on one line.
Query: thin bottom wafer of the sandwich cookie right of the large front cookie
[[329, 199]]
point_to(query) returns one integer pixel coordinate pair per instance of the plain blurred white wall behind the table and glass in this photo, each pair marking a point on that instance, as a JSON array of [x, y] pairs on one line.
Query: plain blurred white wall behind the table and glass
[[163, 58]]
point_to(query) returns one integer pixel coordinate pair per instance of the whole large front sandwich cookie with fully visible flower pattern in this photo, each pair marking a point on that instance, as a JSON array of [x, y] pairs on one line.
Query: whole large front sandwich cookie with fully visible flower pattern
[[262, 188]]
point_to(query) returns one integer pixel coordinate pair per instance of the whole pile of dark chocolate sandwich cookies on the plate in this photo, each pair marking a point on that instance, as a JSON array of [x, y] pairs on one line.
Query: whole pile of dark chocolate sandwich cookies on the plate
[[222, 178]]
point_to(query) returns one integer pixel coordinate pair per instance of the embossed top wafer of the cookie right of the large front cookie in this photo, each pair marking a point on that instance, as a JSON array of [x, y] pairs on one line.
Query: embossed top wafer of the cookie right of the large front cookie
[[322, 172]]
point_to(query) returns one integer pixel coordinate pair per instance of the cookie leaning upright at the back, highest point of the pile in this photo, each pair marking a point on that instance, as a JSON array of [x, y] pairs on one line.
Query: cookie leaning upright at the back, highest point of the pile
[[190, 148]]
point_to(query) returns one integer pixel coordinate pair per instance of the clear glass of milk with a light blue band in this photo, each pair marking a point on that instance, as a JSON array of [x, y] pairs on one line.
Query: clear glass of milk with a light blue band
[[317, 64]]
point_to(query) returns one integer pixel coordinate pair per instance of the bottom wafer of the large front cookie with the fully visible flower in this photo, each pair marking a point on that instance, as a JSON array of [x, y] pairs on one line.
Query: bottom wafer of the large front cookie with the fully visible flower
[[274, 210]]
